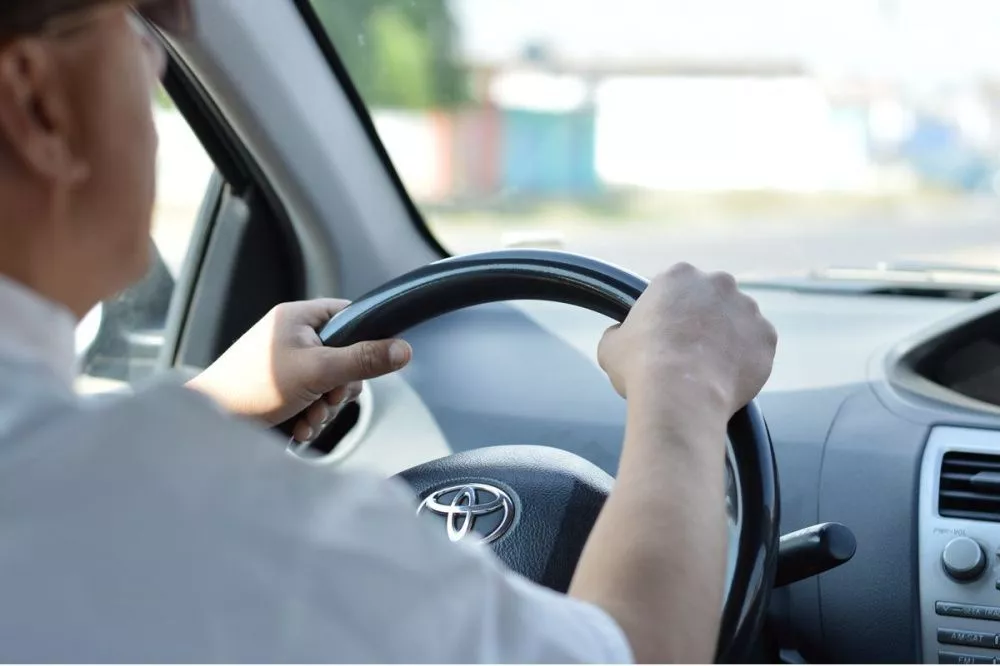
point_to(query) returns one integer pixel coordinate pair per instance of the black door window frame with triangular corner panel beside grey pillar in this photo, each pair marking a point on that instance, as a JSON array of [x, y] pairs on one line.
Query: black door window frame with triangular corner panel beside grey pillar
[[236, 177]]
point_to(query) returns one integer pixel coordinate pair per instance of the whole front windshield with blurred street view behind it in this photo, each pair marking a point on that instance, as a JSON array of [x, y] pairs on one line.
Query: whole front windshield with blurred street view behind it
[[762, 137]]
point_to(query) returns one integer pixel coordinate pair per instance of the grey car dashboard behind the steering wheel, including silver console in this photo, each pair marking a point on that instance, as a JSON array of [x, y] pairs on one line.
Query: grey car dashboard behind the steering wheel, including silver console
[[866, 417]]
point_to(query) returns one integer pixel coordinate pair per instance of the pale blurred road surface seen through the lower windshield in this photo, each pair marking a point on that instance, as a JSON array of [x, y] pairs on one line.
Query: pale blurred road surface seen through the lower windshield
[[965, 232]]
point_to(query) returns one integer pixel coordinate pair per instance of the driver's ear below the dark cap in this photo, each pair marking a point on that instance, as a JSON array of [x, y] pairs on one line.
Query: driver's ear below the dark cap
[[35, 116]]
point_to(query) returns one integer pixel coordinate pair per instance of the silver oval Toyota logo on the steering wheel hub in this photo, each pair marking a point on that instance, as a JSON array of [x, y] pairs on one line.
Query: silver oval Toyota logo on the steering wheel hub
[[465, 505]]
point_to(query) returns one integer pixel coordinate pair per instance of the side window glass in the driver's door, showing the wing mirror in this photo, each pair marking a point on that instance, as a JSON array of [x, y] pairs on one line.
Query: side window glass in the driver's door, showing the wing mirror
[[120, 341]]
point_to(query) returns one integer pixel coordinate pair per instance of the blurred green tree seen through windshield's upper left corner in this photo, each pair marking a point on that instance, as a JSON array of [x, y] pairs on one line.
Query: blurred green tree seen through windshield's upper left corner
[[399, 53]]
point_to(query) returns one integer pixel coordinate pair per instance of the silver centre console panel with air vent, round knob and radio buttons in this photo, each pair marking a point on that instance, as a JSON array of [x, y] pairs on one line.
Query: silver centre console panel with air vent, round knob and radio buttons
[[959, 533]]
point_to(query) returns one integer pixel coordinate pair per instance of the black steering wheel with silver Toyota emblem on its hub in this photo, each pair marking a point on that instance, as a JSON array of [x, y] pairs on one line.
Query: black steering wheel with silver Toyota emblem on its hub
[[536, 505]]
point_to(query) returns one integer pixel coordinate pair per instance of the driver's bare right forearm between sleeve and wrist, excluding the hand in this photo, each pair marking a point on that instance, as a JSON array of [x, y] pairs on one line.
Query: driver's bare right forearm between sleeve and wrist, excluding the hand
[[655, 560]]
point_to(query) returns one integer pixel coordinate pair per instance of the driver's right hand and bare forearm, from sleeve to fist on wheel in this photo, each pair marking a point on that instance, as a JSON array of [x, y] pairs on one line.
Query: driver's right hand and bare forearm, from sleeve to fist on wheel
[[690, 354]]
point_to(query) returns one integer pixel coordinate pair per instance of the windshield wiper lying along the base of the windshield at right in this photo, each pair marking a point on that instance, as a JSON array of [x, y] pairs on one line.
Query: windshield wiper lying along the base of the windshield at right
[[910, 278]]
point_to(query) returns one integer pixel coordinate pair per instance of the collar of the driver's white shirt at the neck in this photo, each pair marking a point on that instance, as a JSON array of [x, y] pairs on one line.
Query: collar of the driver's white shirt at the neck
[[35, 329]]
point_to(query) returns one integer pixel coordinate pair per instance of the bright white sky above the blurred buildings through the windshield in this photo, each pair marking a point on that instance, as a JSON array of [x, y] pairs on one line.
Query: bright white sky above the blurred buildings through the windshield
[[929, 40]]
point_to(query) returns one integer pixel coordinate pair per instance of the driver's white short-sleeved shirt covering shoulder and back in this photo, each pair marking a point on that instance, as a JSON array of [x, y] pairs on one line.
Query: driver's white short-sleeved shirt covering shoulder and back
[[151, 527]]
